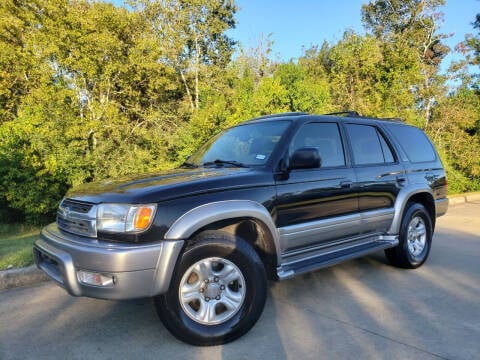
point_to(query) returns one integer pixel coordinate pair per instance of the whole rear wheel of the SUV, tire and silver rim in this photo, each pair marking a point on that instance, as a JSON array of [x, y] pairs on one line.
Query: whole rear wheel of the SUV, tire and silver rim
[[415, 238]]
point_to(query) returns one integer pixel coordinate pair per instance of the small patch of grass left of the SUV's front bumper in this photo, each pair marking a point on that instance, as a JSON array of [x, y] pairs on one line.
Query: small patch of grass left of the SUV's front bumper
[[16, 242]]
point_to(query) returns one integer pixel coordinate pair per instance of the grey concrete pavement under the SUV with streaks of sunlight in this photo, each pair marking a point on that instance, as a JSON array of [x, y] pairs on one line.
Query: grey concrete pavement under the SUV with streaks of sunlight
[[363, 309]]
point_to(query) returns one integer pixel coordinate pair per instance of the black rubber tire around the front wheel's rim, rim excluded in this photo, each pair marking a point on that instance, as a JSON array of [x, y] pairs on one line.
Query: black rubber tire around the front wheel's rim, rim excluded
[[248, 262]]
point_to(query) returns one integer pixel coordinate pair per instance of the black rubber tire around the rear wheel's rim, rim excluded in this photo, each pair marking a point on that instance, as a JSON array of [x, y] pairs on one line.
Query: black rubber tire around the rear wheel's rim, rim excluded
[[412, 211]]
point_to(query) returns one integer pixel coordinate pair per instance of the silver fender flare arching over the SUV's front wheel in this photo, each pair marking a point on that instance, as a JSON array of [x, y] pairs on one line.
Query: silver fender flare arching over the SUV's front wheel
[[193, 220]]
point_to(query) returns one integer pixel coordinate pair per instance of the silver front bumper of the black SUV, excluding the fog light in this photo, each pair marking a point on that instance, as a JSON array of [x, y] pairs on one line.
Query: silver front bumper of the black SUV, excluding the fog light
[[138, 270]]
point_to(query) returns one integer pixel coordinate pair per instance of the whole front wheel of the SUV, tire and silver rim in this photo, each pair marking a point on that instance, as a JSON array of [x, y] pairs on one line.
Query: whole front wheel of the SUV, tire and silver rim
[[217, 292]]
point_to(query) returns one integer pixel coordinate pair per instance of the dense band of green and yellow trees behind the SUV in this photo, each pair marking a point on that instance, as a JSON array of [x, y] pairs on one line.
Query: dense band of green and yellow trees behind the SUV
[[90, 91]]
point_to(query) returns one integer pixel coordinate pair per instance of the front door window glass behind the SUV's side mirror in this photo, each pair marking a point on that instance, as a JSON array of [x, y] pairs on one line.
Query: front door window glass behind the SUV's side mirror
[[325, 137]]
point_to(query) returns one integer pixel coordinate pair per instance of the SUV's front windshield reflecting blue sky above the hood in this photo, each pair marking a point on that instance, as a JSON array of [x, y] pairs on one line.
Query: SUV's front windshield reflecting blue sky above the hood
[[244, 145]]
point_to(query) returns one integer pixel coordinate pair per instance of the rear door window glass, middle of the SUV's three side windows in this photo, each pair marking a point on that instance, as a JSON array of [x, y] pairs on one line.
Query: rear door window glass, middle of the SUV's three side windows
[[368, 145]]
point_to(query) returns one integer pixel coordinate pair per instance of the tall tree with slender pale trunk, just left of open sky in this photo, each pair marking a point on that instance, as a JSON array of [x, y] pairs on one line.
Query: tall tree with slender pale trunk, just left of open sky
[[191, 34]]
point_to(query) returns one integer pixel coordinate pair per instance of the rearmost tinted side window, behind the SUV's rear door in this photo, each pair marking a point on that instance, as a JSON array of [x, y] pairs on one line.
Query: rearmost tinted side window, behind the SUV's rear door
[[414, 142]]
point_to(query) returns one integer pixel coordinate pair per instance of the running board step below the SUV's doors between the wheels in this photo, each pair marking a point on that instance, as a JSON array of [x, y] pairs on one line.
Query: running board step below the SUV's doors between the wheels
[[332, 255]]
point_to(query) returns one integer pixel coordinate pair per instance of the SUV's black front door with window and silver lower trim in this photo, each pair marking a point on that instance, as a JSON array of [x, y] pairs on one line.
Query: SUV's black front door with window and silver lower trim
[[317, 205]]
